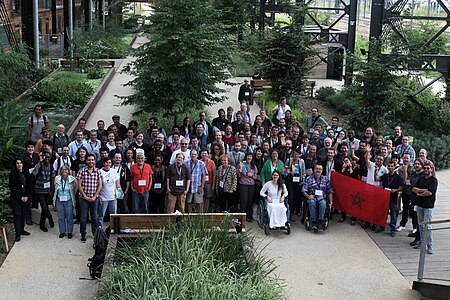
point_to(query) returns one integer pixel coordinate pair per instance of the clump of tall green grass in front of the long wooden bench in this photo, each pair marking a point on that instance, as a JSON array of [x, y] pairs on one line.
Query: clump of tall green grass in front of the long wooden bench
[[190, 261]]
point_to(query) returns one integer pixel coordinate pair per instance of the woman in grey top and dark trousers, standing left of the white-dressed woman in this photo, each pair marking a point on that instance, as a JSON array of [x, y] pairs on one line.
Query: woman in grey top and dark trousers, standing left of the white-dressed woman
[[247, 178]]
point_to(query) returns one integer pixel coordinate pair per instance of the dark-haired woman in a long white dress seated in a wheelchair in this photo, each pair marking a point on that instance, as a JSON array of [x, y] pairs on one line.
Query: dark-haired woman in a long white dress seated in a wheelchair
[[276, 192]]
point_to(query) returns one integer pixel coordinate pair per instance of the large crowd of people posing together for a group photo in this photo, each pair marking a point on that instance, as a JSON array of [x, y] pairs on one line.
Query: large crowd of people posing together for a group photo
[[225, 165]]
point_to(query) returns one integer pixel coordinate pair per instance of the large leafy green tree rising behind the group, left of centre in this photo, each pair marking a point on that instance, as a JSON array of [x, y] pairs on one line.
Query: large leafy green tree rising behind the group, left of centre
[[186, 56]]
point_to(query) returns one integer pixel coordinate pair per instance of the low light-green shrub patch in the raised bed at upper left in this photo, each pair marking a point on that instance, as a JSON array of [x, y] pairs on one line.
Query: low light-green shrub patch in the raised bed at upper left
[[71, 89]]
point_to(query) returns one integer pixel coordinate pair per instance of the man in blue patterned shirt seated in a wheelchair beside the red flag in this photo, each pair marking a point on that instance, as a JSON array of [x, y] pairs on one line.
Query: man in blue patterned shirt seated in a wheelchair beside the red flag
[[316, 189]]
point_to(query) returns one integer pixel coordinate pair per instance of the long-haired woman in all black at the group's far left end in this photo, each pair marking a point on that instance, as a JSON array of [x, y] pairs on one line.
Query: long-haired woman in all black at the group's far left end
[[20, 186]]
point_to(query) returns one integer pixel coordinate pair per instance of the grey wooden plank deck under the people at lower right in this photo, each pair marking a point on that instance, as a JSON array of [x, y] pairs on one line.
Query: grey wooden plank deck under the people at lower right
[[405, 258]]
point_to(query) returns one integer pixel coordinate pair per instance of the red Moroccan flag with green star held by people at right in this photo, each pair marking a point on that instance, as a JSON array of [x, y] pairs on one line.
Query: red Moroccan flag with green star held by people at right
[[359, 199]]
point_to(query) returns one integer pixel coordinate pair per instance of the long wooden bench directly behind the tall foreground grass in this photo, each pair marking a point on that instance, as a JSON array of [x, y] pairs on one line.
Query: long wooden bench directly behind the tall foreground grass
[[146, 223]]
